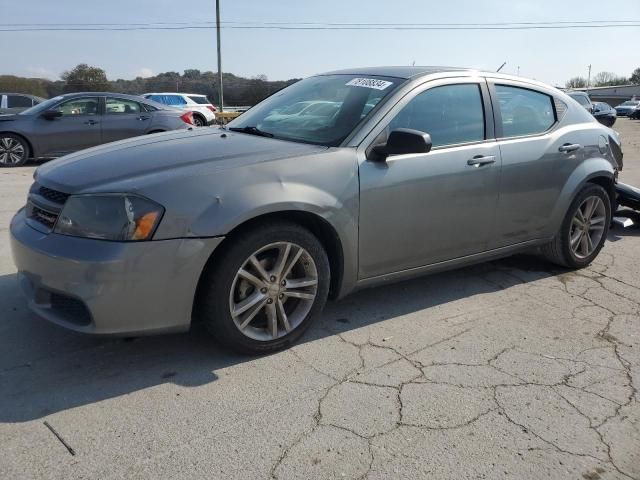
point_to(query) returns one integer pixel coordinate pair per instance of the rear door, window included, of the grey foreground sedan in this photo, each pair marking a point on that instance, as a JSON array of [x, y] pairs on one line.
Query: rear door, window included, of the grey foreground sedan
[[535, 161]]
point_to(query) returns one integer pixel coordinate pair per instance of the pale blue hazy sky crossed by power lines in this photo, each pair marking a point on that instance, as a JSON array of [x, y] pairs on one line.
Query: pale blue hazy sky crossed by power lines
[[552, 56]]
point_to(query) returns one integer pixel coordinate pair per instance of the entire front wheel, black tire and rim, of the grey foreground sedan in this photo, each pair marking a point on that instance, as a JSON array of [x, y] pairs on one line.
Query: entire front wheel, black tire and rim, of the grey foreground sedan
[[224, 288]]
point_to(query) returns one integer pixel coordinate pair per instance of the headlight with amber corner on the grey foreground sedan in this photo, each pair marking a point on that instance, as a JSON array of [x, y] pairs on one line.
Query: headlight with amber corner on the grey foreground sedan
[[109, 217]]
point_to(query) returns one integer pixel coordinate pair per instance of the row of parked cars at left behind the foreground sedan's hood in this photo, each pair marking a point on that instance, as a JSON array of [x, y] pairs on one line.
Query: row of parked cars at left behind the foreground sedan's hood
[[32, 127]]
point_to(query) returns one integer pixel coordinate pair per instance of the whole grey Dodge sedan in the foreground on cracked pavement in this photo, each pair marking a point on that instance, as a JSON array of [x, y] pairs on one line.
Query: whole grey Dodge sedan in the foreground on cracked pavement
[[249, 229]]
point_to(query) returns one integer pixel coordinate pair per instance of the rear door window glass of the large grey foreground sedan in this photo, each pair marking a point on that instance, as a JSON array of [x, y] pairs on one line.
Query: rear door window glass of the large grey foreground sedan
[[524, 111]]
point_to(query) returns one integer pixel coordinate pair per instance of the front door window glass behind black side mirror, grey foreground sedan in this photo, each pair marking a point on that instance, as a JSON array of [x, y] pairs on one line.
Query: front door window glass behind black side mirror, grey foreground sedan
[[451, 114]]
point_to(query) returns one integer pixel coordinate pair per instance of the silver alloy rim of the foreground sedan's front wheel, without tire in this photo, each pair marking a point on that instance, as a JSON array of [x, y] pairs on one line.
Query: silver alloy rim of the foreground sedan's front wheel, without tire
[[273, 291]]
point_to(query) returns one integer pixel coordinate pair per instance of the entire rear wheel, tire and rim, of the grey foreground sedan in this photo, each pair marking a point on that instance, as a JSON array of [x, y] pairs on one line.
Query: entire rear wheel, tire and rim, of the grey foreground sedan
[[561, 250]]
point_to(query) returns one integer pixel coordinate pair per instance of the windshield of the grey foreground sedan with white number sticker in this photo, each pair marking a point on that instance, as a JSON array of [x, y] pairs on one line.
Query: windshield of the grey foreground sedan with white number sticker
[[321, 110]]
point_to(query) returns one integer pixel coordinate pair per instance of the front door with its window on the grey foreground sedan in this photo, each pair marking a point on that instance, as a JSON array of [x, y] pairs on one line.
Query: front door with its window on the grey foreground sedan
[[420, 209]]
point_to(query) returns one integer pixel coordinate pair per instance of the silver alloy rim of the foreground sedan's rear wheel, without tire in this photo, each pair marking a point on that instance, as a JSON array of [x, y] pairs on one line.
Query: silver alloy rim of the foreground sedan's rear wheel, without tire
[[587, 227]]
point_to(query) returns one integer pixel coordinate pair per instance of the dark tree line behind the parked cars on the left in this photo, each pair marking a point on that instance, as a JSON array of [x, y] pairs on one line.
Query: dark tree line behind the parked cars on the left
[[86, 78]]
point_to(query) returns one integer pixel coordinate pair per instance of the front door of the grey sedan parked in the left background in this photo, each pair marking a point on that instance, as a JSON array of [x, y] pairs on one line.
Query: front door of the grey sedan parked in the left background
[[76, 129]]
